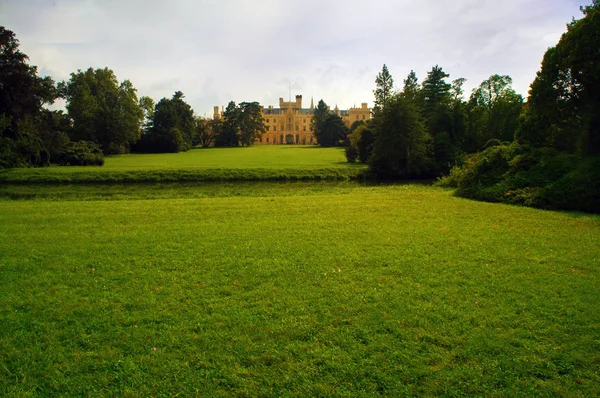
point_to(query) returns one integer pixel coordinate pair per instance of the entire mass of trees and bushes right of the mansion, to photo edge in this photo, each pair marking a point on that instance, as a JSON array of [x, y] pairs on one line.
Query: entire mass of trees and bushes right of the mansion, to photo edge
[[494, 146]]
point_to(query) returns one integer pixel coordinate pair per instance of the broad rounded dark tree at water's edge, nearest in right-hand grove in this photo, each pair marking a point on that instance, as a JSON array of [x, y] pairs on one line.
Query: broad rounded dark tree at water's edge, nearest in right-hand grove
[[402, 144]]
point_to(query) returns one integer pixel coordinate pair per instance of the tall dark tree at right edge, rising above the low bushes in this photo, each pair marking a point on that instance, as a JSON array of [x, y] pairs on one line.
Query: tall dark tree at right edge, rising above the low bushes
[[563, 109]]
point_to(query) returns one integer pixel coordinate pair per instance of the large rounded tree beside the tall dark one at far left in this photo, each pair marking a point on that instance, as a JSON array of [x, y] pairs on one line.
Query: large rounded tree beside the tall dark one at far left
[[103, 110]]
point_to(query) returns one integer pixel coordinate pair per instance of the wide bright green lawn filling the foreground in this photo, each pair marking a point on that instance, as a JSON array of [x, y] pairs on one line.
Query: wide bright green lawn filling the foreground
[[332, 291]]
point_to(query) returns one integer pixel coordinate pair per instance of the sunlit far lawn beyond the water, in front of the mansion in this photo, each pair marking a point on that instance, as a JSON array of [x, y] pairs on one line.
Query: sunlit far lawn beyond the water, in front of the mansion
[[267, 162]]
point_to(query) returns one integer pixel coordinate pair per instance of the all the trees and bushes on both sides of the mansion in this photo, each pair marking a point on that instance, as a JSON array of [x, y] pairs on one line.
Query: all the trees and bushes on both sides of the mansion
[[491, 145]]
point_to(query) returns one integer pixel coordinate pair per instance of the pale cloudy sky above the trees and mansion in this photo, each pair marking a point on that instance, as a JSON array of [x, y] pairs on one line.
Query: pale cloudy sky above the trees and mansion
[[216, 51]]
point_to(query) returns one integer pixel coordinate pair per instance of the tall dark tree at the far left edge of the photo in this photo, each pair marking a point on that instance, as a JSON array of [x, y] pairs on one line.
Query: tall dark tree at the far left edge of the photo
[[22, 117]]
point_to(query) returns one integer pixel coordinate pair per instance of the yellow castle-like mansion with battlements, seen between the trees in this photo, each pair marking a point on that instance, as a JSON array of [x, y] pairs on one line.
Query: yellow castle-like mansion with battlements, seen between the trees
[[290, 123]]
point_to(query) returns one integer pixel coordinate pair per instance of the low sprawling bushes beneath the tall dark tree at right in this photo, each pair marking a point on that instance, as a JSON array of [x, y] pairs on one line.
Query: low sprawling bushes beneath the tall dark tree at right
[[538, 177]]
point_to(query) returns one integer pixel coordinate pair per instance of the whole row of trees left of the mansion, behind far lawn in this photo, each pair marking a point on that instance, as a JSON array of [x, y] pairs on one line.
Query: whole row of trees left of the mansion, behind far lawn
[[103, 117]]
